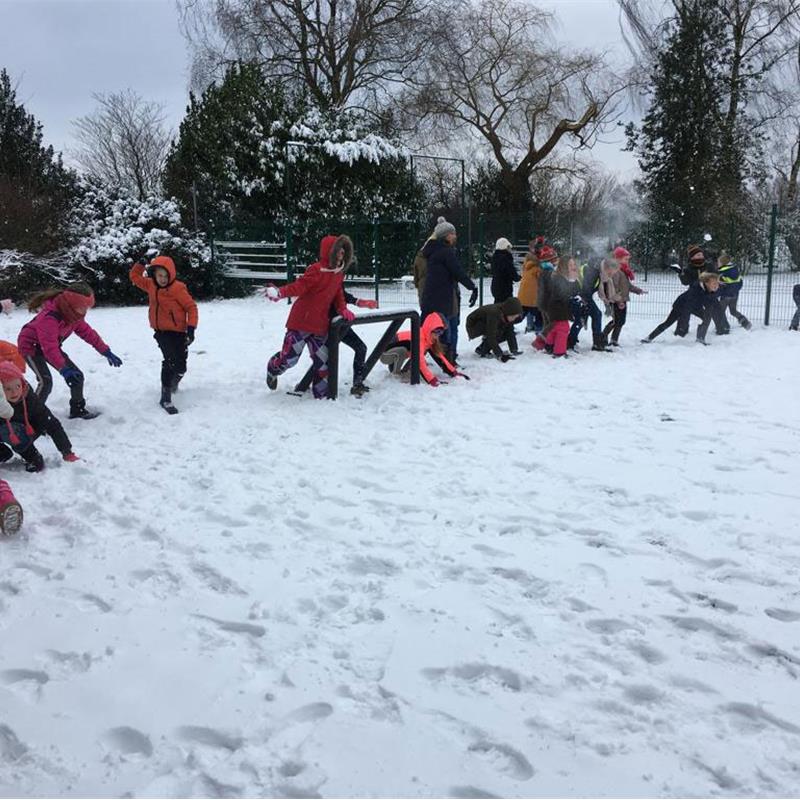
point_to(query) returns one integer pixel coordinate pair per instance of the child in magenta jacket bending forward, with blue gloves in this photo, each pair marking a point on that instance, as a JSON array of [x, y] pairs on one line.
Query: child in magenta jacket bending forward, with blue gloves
[[61, 313]]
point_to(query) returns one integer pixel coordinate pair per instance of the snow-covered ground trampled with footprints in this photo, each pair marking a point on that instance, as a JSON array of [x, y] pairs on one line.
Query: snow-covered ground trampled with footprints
[[561, 578]]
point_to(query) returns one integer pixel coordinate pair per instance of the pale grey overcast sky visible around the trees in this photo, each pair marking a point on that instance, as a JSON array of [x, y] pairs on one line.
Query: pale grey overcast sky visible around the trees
[[61, 51]]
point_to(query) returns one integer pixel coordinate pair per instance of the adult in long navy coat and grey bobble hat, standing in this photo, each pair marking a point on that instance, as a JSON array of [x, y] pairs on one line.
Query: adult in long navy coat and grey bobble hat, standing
[[443, 276]]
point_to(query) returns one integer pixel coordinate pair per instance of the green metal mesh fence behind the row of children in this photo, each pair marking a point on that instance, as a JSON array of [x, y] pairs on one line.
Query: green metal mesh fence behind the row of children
[[385, 251]]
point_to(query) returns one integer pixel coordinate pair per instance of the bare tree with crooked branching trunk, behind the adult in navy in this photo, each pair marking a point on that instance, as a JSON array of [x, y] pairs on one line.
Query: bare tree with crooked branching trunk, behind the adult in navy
[[495, 75]]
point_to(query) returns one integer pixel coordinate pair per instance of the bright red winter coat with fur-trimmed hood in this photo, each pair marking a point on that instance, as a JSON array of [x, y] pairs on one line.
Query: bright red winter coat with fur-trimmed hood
[[319, 287]]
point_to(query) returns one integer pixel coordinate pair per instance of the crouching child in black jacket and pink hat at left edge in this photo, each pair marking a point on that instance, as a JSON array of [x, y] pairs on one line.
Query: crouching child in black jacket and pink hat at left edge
[[30, 419]]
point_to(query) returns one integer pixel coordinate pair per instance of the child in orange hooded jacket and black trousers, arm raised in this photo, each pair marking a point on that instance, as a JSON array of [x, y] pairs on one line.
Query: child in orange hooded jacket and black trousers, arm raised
[[173, 318]]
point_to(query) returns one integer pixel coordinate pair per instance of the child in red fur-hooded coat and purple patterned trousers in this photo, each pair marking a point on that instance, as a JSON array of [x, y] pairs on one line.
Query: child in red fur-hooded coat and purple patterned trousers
[[316, 290]]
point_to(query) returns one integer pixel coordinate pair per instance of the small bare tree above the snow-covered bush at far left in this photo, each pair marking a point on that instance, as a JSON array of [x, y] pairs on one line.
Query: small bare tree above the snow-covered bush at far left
[[123, 142]]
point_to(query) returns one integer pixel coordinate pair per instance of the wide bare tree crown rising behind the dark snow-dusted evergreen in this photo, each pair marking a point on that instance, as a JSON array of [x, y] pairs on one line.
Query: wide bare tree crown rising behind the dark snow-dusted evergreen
[[346, 53]]
